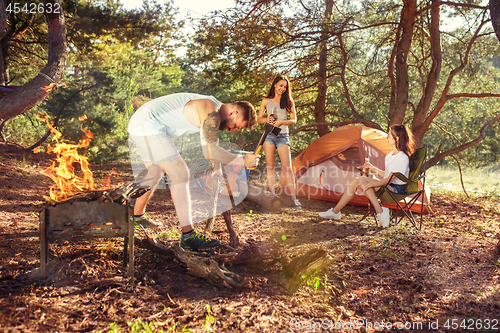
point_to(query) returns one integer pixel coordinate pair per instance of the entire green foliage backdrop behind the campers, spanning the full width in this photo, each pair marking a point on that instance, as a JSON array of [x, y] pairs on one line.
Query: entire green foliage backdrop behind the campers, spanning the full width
[[235, 54]]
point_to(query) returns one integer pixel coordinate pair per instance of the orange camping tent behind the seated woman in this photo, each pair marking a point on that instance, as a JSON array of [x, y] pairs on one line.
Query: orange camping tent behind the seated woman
[[325, 168]]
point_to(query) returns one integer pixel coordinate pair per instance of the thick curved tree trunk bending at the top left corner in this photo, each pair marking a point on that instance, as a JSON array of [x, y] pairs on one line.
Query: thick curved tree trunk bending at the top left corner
[[33, 92]]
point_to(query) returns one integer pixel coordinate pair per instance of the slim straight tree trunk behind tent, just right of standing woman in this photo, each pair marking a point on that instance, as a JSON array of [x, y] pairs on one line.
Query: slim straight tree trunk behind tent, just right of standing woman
[[320, 105]]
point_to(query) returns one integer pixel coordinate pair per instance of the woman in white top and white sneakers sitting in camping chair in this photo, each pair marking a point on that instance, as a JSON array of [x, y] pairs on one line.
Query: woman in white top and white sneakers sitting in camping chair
[[402, 143]]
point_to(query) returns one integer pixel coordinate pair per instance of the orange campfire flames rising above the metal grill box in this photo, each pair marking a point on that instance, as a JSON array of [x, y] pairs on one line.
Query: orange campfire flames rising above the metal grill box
[[62, 170]]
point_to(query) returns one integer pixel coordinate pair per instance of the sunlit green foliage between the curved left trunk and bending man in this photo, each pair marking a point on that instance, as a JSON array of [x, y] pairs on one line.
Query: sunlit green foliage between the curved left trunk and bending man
[[111, 73]]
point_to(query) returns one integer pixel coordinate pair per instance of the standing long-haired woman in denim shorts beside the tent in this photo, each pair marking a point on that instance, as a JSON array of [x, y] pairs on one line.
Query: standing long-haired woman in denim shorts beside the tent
[[278, 105]]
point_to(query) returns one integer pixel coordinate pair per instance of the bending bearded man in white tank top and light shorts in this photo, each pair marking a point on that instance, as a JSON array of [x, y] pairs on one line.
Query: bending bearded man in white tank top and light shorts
[[151, 129]]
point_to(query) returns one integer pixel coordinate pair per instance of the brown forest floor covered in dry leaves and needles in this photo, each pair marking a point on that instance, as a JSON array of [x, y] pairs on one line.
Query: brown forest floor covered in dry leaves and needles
[[445, 277]]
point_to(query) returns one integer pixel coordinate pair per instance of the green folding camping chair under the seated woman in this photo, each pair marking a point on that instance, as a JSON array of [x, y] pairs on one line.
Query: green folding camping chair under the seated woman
[[411, 188]]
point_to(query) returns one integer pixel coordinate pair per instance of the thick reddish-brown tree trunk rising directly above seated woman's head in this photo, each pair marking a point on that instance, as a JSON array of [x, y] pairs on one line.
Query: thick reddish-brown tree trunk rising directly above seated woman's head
[[408, 17]]
